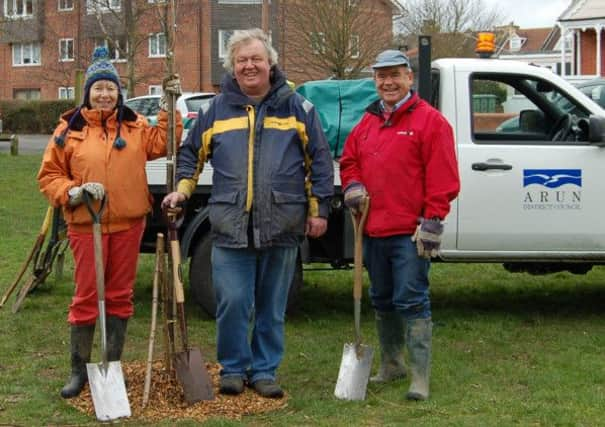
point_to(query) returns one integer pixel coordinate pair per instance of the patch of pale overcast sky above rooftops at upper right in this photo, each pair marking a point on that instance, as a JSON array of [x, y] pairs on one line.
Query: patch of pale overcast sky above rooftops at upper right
[[530, 13]]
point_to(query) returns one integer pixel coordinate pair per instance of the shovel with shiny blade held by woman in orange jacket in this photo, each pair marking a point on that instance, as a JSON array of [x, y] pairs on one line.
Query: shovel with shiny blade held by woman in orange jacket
[[106, 379]]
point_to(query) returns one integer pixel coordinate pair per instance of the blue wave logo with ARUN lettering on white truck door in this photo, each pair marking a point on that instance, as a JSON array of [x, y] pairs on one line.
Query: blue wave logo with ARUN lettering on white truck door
[[552, 189]]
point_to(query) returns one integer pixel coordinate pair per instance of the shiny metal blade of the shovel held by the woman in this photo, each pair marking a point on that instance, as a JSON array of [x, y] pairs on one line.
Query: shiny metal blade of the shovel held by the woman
[[108, 391]]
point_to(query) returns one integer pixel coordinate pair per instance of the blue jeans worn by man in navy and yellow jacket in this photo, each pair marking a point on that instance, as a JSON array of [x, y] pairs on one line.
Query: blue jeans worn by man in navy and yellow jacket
[[252, 285]]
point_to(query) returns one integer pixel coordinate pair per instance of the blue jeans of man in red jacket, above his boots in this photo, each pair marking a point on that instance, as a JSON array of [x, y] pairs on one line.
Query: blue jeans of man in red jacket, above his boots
[[398, 276]]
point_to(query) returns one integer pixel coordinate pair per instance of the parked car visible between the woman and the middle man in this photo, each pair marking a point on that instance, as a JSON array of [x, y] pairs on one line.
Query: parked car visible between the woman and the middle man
[[189, 104]]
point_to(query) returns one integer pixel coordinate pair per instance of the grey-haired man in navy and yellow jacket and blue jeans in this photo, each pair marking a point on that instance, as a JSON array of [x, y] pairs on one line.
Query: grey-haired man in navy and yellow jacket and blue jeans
[[272, 183]]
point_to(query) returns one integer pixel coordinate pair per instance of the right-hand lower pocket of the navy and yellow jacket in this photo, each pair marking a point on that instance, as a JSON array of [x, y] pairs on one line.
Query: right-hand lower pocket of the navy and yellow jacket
[[288, 213]]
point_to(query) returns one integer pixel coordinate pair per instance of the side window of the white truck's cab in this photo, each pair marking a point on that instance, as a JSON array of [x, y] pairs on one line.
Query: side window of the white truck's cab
[[513, 109]]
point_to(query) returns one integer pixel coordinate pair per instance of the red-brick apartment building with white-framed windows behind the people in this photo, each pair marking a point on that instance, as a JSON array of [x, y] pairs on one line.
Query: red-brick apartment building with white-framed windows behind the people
[[43, 43]]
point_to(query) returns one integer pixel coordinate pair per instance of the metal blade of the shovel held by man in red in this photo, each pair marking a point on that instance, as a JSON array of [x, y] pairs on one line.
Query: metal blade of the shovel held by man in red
[[354, 372]]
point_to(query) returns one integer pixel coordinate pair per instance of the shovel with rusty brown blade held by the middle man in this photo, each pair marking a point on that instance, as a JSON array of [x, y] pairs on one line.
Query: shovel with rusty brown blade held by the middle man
[[190, 367]]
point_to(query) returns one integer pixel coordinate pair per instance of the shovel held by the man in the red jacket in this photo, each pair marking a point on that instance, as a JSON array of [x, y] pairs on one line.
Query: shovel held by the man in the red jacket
[[356, 361]]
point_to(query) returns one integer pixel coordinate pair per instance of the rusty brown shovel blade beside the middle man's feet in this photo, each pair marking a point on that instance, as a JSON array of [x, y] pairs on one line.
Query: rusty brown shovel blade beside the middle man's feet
[[193, 376]]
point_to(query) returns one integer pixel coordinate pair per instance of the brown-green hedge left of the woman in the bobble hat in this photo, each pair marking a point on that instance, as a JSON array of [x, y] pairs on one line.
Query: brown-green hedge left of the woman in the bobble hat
[[32, 116]]
